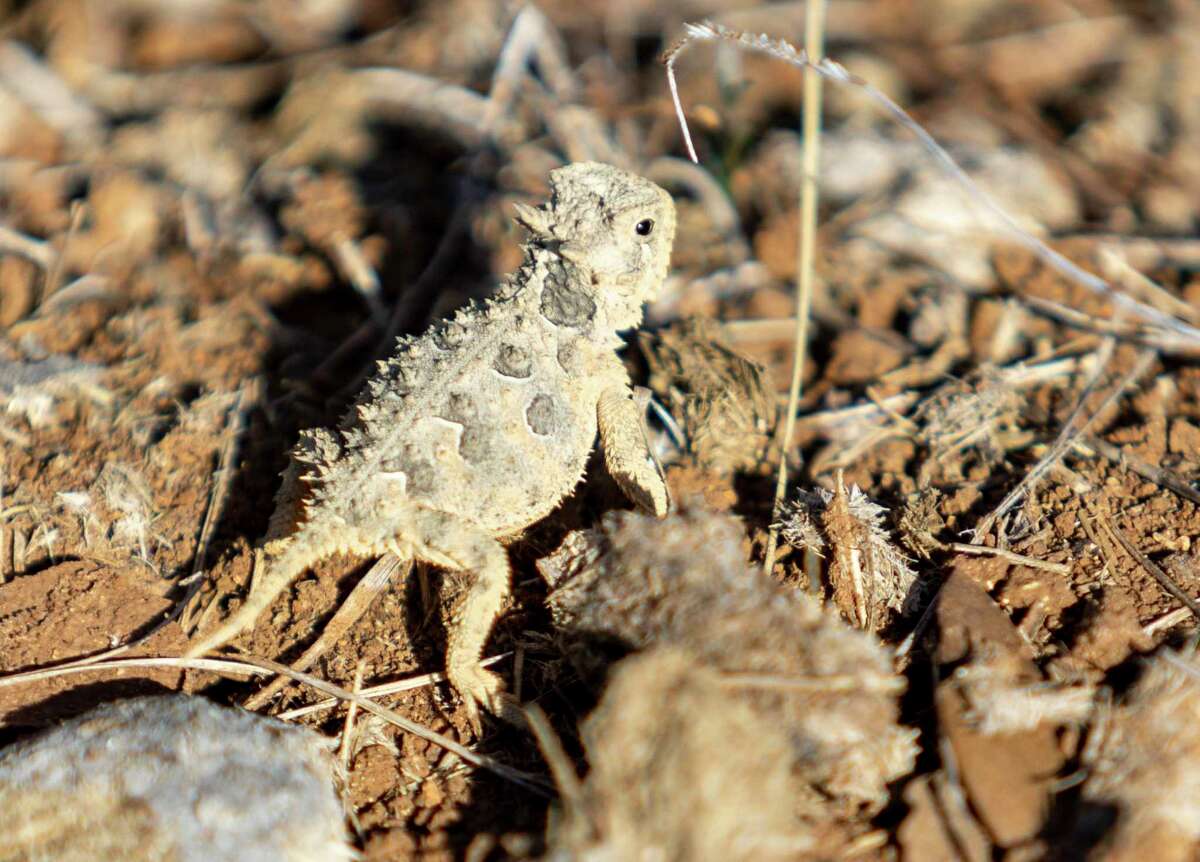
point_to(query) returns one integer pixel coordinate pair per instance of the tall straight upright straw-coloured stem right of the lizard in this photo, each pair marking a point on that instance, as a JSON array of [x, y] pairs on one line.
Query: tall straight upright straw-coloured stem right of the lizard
[[814, 39]]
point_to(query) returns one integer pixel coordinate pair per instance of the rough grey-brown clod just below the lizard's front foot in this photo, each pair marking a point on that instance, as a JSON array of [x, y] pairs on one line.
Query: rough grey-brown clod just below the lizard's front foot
[[686, 583]]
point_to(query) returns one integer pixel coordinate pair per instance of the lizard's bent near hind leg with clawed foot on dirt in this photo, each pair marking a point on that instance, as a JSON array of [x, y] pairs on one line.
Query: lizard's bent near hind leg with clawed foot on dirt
[[457, 544]]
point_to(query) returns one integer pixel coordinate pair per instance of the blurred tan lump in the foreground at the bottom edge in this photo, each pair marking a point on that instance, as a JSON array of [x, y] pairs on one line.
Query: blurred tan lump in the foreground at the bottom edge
[[683, 769]]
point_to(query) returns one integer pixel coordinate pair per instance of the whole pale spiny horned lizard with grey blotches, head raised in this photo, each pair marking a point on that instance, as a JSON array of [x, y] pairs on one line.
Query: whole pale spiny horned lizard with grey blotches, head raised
[[479, 428]]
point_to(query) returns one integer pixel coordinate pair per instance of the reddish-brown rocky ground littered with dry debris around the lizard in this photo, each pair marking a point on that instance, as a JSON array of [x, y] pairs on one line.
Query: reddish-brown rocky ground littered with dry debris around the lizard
[[976, 640]]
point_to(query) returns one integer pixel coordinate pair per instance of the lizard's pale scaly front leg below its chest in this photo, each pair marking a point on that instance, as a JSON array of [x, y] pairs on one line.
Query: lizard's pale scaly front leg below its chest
[[627, 453]]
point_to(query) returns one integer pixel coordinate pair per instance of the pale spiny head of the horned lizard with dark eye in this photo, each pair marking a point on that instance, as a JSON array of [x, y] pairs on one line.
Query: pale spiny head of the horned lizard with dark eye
[[613, 224]]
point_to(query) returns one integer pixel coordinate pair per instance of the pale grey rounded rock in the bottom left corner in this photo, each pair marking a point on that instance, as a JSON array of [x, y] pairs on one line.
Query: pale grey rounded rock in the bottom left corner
[[175, 779]]
